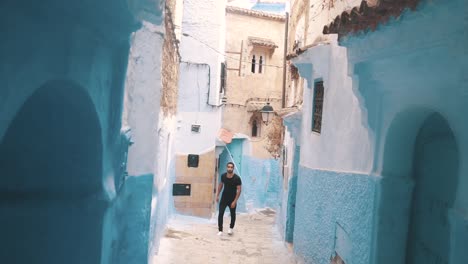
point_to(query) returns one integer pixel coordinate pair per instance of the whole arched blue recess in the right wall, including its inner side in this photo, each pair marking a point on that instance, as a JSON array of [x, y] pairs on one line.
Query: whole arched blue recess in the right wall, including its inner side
[[413, 224]]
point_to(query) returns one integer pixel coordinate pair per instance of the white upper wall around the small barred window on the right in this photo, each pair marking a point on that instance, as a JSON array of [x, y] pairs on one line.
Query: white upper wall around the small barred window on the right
[[344, 143]]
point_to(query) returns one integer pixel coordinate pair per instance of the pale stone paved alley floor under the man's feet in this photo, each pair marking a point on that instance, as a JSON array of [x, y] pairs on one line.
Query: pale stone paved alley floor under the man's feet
[[195, 241]]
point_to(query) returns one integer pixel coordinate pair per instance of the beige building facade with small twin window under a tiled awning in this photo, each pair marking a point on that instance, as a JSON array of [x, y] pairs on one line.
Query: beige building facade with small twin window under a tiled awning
[[254, 77]]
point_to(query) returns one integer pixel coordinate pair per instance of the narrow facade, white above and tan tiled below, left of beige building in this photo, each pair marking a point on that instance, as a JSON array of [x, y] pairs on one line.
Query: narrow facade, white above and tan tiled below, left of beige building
[[199, 104]]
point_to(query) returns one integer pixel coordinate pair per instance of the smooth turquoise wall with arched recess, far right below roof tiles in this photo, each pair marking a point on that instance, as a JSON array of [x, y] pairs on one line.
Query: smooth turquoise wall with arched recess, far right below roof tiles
[[410, 70]]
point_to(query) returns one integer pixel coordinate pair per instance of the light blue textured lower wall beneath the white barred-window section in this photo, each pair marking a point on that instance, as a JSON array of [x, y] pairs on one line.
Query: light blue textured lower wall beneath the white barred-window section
[[328, 201]]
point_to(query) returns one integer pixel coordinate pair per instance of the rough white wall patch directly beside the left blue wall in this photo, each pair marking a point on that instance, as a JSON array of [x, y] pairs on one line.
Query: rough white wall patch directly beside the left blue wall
[[142, 98]]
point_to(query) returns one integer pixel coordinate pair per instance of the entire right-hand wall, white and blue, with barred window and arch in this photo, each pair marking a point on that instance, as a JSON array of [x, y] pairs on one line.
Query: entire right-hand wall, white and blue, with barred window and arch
[[406, 71]]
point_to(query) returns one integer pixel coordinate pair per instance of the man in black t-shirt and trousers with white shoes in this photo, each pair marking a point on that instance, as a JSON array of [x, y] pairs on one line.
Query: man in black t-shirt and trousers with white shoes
[[231, 185]]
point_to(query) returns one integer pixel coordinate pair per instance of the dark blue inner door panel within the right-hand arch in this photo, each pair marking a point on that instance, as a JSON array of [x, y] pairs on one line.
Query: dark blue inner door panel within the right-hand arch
[[435, 167]]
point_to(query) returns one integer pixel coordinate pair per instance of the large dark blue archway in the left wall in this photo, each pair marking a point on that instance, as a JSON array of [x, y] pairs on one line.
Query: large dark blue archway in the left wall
[[51, 161]]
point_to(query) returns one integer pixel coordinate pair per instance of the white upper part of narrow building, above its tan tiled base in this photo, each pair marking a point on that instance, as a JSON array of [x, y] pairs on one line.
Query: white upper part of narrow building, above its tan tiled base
[[201, 49]]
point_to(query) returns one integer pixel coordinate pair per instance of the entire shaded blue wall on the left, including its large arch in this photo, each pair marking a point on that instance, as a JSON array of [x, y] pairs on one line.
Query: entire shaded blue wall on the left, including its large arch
[[62, 194]]
